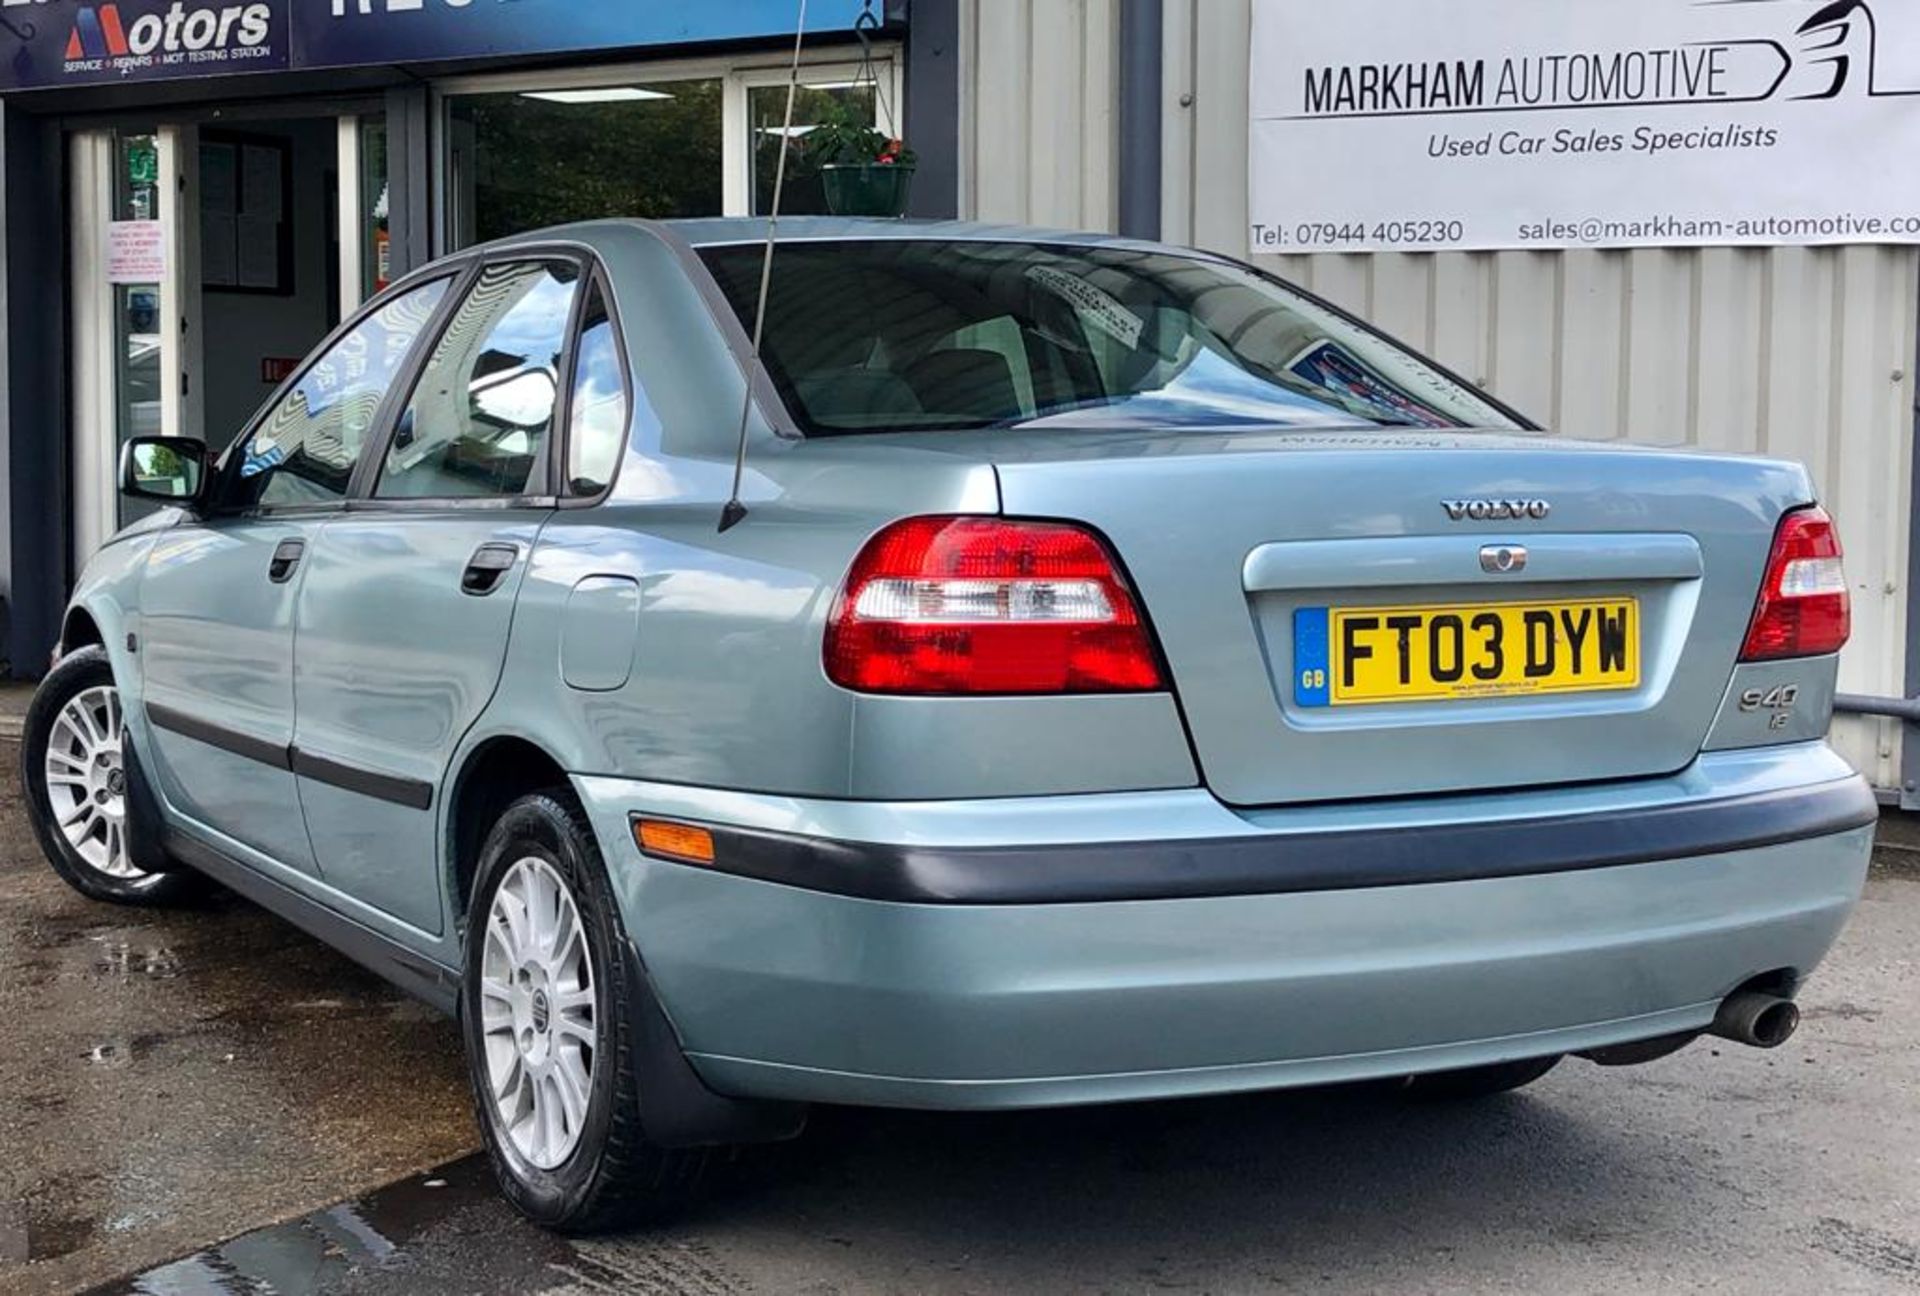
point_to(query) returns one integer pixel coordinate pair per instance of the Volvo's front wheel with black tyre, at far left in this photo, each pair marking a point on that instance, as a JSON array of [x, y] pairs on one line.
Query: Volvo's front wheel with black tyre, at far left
[[78, 788]]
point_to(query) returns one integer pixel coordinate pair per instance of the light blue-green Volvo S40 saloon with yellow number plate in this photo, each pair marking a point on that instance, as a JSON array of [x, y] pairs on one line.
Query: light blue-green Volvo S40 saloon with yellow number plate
[[1124, 677]]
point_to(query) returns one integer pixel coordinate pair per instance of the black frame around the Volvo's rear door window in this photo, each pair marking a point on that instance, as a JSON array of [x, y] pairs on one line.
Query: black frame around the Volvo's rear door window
[[368, 471]]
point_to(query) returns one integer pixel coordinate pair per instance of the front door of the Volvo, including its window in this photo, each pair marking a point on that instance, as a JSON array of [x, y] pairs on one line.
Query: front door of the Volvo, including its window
[[220, 596]]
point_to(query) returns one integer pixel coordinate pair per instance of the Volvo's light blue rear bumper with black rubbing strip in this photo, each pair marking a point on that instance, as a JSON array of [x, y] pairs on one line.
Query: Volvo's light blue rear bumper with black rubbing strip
[[792, 992]]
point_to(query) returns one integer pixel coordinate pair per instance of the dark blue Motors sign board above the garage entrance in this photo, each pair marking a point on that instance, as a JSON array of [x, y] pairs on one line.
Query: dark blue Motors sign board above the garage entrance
[[70, 43]]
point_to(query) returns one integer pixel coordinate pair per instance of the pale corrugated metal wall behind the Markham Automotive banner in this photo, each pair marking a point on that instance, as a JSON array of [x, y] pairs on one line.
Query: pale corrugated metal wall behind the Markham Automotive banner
[[1796, 352]]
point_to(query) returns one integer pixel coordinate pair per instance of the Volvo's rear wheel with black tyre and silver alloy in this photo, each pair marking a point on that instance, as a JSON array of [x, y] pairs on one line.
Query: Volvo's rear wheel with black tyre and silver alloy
[[552, 1036]]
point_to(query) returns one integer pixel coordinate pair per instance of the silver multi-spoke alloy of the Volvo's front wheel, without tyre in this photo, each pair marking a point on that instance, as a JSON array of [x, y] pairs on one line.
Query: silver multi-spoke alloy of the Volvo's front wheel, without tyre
[[87, 782]]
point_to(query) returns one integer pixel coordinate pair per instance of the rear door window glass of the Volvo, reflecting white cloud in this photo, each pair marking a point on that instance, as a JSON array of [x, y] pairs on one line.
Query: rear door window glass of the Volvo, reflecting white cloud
[[483, 410]]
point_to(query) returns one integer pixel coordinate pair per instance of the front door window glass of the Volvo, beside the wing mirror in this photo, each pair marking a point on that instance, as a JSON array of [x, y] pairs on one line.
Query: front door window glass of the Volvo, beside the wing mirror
[[306, 448]]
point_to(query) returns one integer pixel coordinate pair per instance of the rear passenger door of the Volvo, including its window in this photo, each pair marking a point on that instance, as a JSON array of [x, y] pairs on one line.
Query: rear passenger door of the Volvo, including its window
[[410, 594]]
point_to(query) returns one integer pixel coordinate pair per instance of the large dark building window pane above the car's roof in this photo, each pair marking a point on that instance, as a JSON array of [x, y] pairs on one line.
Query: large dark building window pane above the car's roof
[[523, 162]]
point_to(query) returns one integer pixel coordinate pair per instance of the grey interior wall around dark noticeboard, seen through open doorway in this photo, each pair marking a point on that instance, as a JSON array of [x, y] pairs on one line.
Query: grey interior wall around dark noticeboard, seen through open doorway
[[243, 329]]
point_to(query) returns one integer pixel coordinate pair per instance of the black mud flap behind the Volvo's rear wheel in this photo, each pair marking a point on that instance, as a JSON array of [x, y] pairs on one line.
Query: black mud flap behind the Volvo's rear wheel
[[675, 1105]]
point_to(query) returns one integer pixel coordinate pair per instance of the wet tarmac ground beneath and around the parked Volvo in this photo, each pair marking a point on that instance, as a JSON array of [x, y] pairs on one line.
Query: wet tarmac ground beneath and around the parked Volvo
[[176, 1080]]
